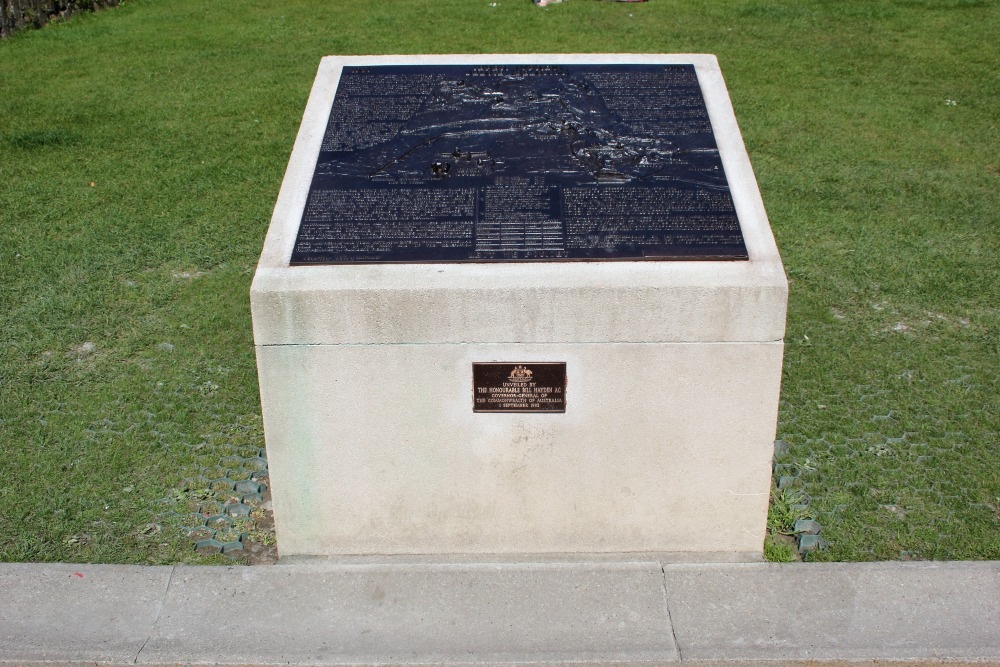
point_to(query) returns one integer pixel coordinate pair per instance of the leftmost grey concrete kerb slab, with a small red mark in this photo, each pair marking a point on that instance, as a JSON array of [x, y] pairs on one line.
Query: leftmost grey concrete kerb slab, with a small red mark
[[78, 613]]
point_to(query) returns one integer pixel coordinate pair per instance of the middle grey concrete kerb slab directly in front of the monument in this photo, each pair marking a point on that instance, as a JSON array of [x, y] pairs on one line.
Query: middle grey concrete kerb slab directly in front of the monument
[[509, 613]]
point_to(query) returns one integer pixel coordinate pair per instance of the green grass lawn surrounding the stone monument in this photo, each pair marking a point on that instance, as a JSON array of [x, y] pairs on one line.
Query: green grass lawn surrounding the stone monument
[[141, 151]]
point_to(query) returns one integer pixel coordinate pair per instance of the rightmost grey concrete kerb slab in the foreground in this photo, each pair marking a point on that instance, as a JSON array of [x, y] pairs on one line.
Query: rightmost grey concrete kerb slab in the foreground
[[836, 611]]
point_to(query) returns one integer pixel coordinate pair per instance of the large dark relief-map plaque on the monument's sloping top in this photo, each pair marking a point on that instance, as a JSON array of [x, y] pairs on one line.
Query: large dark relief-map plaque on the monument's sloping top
[[489, 163]]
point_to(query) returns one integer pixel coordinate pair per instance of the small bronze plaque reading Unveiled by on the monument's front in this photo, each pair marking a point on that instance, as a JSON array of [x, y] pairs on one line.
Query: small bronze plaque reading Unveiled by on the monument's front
[[519, 387]]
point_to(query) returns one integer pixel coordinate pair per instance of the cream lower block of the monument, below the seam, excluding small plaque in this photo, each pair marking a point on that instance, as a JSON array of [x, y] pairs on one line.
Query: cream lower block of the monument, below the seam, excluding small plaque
[[375, 449]]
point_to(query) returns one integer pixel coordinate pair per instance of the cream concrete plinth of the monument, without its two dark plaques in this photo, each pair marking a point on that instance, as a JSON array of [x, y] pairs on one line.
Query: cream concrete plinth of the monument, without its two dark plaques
[[673, 373]]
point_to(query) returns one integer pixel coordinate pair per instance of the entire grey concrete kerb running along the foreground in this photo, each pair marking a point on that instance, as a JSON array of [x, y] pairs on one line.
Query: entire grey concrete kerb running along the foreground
[[629, 609]]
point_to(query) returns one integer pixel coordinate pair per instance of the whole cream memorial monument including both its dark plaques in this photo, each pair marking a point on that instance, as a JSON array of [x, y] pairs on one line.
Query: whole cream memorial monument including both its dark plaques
[[519, 304]]
